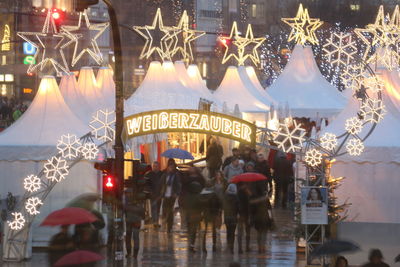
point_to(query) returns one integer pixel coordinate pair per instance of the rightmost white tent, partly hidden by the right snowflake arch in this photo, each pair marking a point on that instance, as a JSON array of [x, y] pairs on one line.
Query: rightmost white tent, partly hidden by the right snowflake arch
[[371, 185]]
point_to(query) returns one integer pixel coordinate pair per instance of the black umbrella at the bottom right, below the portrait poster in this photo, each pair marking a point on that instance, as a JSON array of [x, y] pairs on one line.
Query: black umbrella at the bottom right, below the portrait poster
[[334, 247]]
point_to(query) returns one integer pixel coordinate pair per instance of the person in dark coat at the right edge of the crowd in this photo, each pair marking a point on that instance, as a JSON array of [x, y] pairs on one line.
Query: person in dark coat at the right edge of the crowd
[[283, 174]]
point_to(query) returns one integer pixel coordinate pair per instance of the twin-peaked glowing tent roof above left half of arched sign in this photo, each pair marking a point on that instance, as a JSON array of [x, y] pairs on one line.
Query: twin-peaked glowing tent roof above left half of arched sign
[[161, 89]]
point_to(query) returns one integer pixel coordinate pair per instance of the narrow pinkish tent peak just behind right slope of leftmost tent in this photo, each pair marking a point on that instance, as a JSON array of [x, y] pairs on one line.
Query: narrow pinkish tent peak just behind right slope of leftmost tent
[[74, 99]]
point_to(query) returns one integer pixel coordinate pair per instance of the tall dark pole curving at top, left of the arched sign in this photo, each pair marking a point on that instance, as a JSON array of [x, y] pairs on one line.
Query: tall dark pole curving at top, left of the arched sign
[[118, 147]]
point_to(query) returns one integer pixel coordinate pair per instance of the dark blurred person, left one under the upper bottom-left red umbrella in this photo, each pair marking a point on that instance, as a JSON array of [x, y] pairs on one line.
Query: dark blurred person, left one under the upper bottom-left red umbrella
[[60, 244]]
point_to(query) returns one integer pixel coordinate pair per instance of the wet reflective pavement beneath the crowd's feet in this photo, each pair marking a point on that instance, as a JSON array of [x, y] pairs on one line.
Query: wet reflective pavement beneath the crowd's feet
[[161, 249]]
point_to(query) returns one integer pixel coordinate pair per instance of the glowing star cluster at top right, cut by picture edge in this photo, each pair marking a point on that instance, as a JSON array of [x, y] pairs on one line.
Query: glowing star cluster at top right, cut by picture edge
[[382, 38]]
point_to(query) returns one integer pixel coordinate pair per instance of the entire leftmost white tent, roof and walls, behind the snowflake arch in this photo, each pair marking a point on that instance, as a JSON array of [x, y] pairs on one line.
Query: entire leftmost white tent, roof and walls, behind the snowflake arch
[[30, 141]]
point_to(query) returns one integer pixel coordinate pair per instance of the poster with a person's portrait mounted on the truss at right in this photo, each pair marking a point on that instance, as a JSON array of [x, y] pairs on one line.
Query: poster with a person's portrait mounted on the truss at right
[[314, 205]]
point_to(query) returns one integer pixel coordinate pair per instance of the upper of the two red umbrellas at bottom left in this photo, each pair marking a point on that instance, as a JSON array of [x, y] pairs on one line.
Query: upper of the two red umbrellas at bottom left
[[68, 216]]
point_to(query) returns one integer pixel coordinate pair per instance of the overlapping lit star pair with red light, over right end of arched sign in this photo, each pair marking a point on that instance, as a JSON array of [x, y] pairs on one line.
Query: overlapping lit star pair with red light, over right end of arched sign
[[236, 47]]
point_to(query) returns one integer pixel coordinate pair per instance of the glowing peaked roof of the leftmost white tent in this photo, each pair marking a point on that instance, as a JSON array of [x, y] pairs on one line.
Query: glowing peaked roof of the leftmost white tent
[[35, 134]]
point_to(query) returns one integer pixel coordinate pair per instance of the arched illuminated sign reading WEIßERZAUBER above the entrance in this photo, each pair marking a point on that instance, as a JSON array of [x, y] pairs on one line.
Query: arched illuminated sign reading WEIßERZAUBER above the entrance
[[188, 120]]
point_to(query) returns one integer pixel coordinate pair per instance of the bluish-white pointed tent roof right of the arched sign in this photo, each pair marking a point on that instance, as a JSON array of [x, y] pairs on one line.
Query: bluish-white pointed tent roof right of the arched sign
[[302, 85]]
